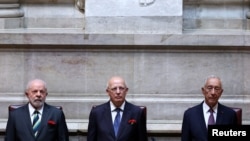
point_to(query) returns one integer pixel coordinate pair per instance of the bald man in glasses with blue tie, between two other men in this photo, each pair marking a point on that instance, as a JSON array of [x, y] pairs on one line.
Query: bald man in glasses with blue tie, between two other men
[[102, 118]]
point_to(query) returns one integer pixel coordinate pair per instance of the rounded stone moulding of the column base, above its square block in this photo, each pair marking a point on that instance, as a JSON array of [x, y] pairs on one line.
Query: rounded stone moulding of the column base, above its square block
[[10, 9]]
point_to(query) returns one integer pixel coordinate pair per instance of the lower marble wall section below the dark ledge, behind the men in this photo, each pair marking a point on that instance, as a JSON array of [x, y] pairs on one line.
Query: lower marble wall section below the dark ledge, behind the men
[[158, 79]]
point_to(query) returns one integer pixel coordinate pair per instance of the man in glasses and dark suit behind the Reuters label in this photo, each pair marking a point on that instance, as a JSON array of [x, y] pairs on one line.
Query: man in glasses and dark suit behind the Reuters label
[[196, 119]]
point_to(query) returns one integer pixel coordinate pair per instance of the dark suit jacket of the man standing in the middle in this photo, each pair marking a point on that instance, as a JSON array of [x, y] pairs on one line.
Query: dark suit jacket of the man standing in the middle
[[100, 126]]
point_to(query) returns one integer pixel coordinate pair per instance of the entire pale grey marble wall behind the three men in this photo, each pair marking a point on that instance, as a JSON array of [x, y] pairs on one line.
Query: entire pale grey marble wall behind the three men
[[163, 49]]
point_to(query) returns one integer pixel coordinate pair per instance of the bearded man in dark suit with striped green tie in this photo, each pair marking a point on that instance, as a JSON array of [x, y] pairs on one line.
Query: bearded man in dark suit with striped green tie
[[36, 120]]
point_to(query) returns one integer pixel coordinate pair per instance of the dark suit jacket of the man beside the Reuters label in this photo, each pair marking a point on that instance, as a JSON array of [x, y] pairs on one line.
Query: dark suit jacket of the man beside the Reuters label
[[194, 126]]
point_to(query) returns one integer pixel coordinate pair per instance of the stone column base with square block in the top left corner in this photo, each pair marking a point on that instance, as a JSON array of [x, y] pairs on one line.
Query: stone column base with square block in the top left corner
[[10, 14]]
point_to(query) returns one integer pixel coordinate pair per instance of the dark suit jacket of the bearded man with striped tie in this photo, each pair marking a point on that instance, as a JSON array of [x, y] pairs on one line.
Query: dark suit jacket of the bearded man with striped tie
[[19, 126]]
